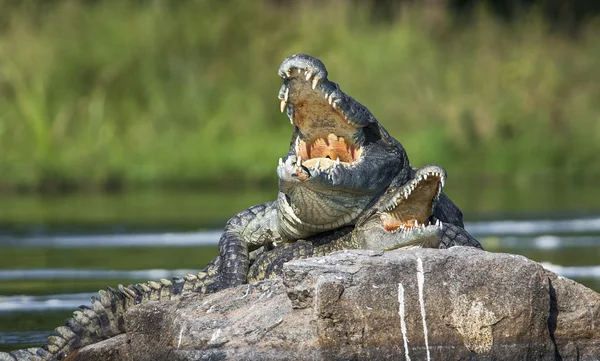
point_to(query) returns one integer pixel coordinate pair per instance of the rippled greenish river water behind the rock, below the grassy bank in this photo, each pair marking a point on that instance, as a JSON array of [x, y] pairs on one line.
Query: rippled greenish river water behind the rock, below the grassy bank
[[51, 268]]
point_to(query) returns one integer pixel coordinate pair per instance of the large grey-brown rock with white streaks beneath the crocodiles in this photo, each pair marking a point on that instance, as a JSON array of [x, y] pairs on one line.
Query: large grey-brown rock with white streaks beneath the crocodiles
[[420, 304]]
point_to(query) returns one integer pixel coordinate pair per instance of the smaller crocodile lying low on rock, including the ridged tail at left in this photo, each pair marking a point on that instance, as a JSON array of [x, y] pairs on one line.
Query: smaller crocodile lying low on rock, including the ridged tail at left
[[402, 217]]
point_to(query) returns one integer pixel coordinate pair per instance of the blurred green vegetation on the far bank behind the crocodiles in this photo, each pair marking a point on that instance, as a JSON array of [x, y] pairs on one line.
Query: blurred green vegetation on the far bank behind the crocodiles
[[165, 94]]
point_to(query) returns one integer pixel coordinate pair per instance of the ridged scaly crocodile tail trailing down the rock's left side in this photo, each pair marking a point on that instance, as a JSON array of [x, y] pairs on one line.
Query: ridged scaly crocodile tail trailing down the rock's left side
[[106, 316]]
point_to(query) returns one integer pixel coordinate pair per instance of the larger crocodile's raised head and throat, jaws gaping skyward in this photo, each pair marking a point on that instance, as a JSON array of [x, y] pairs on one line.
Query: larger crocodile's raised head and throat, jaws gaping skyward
[[340, 159]]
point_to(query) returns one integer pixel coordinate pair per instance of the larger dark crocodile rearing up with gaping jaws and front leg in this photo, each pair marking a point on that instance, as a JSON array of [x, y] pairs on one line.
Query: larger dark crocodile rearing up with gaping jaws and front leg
[[341, 160]]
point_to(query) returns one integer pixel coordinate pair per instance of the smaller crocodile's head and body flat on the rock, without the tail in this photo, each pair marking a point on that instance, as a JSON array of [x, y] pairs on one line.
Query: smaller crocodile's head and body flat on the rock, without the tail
[[402, 218]]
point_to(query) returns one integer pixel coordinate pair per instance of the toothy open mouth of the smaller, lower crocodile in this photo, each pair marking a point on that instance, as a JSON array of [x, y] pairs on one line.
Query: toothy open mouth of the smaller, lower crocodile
[[410, 208]]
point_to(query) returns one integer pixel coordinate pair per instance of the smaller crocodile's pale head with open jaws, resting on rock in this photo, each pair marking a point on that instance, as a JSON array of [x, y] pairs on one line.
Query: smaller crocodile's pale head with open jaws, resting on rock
[[403, 216]]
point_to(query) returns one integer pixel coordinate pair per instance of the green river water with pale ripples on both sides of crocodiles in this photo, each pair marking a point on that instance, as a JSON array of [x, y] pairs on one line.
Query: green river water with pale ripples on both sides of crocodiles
[[57, 251]]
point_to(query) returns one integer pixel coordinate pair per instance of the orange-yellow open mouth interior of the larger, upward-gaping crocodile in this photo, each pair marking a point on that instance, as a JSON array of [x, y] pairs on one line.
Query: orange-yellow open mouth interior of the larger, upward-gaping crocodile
[[327, 134]]
